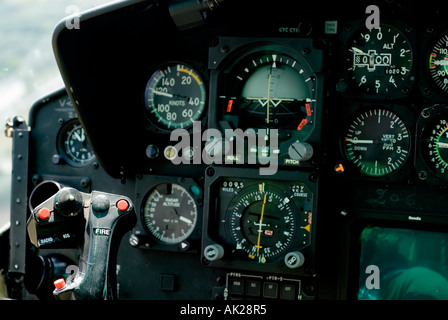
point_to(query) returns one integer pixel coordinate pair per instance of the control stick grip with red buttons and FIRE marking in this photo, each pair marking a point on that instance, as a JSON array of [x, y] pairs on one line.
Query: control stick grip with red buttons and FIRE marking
[[101, 211]]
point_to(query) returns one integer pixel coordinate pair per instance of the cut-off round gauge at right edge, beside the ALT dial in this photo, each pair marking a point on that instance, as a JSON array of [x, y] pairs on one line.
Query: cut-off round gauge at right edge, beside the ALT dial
[[438, 64]]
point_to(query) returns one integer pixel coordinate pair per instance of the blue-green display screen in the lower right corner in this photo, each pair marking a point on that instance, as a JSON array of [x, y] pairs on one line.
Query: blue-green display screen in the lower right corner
[[403, 264]]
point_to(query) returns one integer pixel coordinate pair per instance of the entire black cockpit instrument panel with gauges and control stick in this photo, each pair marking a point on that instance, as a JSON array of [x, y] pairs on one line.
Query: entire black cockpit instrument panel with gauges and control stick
[[236, 150]]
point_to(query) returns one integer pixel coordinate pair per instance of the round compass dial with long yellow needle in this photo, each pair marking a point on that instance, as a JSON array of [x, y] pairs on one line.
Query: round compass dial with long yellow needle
[[263, 222]]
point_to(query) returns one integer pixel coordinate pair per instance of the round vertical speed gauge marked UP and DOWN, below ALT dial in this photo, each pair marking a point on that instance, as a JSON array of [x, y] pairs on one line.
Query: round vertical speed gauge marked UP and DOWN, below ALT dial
[[377, 142]]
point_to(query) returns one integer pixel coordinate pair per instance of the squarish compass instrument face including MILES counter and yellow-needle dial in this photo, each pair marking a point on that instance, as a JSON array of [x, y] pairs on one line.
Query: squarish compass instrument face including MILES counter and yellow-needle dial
[[263, 221]]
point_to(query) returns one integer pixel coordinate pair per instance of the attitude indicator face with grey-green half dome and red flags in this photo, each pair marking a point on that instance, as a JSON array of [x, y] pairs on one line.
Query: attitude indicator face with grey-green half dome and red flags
[[269, 90]]
